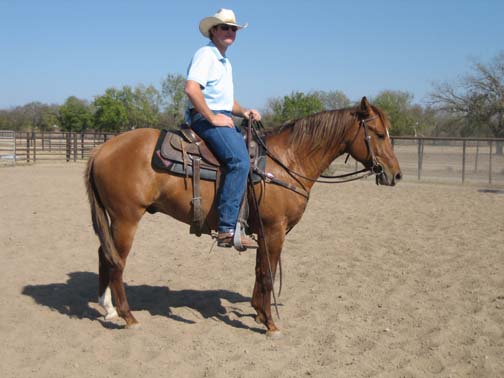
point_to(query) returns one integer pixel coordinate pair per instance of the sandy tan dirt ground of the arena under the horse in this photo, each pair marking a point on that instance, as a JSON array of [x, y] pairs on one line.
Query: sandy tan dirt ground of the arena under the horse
[[378, 282]]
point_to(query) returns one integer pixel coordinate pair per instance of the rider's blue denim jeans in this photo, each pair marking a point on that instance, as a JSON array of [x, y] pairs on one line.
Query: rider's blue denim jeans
[[230, 149]]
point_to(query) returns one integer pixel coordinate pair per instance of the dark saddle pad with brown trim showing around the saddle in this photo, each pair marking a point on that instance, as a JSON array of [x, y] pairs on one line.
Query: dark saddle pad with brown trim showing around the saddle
[[173, 166]]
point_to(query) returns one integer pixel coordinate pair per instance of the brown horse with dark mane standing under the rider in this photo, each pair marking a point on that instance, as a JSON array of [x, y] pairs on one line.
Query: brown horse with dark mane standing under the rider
[[122, 186]]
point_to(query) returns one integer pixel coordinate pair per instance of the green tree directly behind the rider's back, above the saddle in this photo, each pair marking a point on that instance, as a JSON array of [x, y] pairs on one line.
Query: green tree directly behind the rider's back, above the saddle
[[174, 99]]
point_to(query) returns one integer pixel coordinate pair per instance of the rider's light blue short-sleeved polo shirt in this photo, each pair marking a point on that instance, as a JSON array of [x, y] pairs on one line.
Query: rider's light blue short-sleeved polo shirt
[[215, 75]]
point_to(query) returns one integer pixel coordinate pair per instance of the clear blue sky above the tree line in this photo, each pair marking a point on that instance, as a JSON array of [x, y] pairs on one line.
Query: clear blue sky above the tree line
[[52, 49]]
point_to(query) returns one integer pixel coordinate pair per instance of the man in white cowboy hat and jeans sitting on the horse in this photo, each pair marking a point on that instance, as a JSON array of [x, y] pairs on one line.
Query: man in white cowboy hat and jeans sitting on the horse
[[209, 87]]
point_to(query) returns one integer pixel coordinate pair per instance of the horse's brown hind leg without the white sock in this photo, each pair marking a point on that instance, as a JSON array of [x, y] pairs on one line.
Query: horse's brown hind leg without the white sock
[[122, 234]]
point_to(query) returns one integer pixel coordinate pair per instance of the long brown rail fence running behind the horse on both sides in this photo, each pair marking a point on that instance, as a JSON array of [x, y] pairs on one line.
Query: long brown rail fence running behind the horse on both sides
[[421, 158]]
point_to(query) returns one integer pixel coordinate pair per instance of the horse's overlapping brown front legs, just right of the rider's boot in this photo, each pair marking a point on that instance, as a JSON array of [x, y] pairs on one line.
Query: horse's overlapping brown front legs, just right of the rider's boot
[[265, 274]]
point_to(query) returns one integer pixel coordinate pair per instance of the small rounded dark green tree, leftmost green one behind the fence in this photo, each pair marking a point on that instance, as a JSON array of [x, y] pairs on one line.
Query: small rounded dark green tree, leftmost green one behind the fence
[[75, 115]]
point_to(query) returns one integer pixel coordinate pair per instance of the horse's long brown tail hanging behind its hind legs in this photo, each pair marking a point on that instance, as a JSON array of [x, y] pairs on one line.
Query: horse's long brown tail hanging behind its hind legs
[[99, 216]]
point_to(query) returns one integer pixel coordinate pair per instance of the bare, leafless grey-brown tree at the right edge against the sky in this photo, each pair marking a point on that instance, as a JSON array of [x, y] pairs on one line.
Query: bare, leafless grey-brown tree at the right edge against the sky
[[476, 98]]
